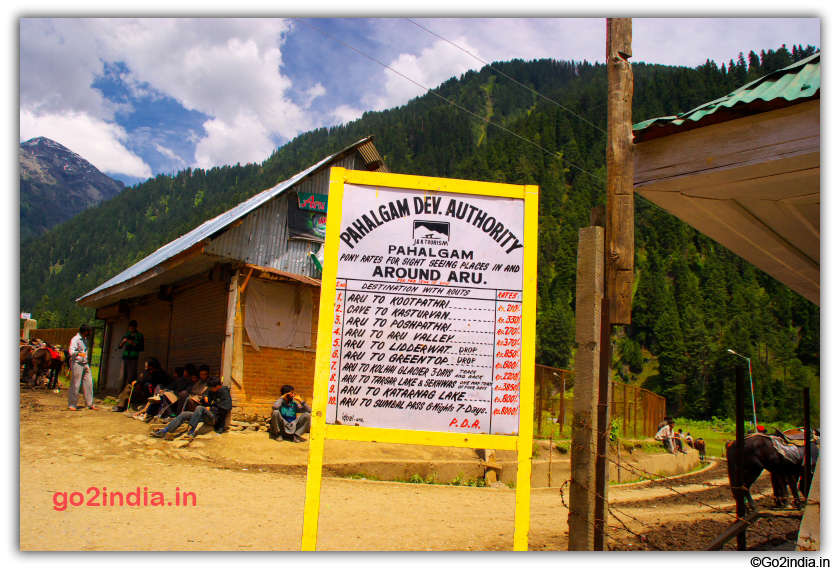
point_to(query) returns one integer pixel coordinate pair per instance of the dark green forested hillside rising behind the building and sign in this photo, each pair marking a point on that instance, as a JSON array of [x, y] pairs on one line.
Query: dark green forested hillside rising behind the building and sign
[[694, 299]]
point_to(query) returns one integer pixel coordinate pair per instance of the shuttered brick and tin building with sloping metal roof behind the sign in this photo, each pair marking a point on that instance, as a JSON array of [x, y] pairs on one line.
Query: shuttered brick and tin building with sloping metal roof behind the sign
[[239, 293]]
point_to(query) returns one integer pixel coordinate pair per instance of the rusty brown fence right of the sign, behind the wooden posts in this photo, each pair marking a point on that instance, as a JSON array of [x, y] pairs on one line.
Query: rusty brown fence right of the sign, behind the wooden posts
[[638, 410]]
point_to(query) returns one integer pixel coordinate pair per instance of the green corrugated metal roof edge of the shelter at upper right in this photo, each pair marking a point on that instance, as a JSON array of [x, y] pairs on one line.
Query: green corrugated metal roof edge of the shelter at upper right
[[781, 88]]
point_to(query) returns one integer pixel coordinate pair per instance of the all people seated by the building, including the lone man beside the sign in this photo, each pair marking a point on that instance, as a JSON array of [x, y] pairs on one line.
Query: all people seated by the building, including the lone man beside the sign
[[196, 397]]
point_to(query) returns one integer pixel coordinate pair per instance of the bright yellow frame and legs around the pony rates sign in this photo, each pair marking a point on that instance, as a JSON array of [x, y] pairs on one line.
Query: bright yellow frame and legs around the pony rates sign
[[321, 431]]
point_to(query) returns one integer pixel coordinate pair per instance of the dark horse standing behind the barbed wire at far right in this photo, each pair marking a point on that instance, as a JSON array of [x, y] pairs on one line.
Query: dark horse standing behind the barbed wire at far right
[[760, 454]]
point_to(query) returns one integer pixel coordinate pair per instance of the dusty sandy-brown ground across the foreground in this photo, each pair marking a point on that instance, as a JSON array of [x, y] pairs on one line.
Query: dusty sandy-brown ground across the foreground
[[262, 509]]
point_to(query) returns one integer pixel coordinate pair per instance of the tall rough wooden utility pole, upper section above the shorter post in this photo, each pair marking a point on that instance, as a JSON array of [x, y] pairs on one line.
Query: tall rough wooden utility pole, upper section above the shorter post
[[619, 214]]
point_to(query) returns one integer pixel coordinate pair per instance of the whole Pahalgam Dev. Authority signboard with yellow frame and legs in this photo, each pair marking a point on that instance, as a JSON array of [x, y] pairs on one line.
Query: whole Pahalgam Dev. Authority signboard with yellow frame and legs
[[427, 314]]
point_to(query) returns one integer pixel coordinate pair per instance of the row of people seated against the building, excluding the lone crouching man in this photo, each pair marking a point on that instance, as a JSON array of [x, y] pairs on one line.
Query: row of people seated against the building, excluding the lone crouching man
[[192, 395]]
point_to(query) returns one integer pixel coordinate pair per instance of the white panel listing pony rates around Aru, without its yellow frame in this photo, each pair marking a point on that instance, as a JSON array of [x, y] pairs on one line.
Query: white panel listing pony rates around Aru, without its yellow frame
[[427, 327]]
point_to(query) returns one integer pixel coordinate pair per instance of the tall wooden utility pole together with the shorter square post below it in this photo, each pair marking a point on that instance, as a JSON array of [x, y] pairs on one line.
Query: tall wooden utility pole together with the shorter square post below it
[[604, 298]]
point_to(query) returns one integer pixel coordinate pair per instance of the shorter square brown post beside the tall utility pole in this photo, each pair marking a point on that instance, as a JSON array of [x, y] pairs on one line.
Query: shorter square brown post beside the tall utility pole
[[590, 292]]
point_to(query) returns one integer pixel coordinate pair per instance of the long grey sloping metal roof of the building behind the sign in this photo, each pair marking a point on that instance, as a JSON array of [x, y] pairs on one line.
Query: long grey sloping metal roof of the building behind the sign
[[216, 224]]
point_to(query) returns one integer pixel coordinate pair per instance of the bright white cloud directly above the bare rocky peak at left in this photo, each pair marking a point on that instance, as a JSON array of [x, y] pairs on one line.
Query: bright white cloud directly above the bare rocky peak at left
[[95, 140]]
